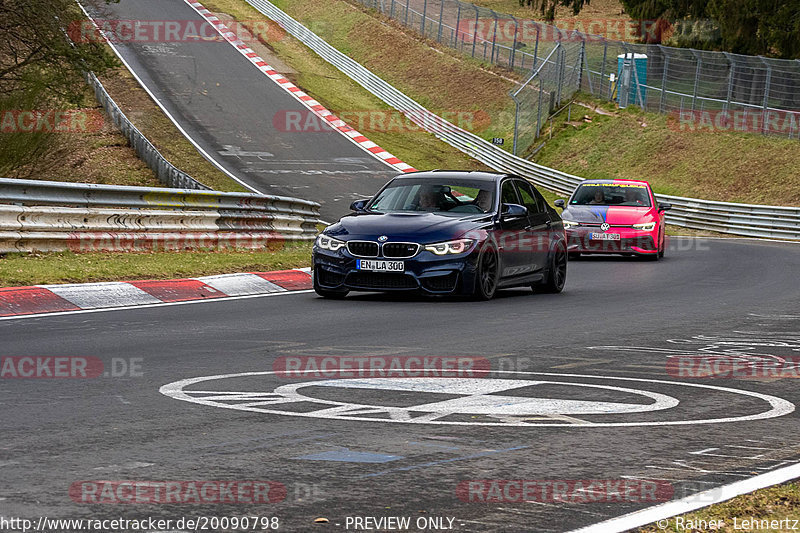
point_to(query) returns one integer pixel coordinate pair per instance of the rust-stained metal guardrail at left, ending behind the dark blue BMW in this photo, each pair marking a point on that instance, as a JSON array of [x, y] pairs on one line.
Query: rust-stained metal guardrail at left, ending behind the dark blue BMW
[[53, 216]]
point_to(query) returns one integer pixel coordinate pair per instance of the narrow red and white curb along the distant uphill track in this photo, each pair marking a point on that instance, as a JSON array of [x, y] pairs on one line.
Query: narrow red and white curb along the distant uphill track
[[309, 102]]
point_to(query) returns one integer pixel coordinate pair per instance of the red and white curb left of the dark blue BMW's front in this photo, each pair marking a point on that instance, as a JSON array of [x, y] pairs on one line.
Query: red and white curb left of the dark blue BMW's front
[[43, 299]]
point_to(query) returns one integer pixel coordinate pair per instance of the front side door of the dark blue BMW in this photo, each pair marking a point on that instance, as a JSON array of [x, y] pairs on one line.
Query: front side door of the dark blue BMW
[[515, 259]]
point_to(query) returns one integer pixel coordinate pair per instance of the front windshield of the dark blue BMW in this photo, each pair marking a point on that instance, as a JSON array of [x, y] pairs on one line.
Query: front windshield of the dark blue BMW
[[454, 196]]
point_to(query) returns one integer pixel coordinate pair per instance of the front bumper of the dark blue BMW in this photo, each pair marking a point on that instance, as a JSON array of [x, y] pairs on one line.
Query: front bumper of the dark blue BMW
[[425, 272]]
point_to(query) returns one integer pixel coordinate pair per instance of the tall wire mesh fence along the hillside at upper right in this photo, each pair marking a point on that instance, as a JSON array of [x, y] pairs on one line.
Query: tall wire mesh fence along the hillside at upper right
[[711, 90]]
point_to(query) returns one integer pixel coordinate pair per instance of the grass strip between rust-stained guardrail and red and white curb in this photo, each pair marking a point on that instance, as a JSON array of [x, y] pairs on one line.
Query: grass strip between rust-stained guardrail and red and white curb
[[67, 267]]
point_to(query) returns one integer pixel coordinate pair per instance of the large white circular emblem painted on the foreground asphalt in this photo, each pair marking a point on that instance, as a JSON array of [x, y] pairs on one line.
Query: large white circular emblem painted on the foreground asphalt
[[474, 397]]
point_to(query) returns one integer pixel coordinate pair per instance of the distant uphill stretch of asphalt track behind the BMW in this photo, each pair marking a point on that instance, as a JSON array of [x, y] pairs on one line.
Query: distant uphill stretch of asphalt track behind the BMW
[[227, 106]]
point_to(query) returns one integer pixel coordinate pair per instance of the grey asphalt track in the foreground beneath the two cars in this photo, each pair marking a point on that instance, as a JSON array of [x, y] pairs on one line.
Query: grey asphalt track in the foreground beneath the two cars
[[601, 404]]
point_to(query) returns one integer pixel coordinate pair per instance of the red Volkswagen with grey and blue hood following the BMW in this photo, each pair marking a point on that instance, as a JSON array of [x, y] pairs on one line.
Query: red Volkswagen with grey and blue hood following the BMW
[[614, 216]]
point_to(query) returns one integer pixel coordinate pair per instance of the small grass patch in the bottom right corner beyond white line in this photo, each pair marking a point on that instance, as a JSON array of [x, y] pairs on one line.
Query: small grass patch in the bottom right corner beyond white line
[[774, 503]]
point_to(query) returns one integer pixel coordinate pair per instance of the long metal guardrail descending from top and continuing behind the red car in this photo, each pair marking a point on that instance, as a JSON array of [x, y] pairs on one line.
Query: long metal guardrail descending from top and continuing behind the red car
[[739, 219]]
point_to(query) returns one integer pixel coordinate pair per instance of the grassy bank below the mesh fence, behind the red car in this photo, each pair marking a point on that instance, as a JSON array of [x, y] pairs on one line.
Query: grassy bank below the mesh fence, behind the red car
[[603, 141]]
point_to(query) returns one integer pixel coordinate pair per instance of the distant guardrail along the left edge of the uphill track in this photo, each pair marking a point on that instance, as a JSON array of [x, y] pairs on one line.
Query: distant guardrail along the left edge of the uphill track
[[165, 171]]
